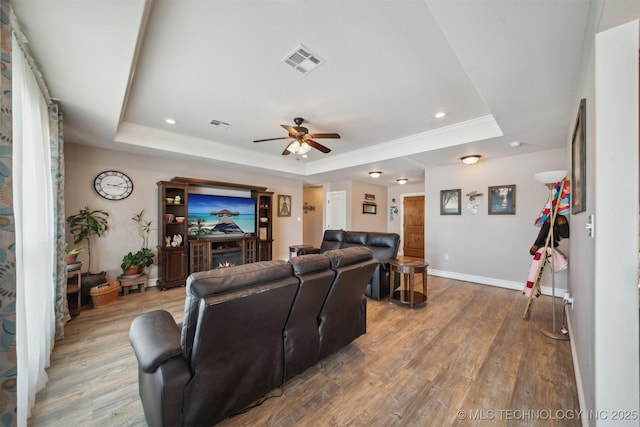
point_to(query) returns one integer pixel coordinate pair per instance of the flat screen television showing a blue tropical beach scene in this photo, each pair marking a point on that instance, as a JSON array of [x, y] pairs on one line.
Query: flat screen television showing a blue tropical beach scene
[[210, 215]]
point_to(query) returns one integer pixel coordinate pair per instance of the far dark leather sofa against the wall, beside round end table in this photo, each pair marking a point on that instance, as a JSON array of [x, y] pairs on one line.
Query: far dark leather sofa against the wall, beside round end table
[[383, 245]]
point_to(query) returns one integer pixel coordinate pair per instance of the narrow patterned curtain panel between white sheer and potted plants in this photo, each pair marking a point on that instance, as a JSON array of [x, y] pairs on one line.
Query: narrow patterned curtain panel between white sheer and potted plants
[[57, 178]]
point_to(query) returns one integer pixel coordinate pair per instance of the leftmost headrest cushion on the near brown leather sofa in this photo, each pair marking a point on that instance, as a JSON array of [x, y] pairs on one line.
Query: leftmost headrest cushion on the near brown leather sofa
[[222, 280]]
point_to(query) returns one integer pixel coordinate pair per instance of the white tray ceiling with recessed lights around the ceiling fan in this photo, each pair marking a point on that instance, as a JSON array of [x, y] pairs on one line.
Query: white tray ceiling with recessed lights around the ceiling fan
[[504, 71]]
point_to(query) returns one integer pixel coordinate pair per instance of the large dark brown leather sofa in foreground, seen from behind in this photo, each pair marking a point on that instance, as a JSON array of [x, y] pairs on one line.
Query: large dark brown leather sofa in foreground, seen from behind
[[247, 330]]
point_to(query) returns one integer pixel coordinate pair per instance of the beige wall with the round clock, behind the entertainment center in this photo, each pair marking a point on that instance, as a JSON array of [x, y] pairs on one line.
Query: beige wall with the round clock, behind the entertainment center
[[83, 163]]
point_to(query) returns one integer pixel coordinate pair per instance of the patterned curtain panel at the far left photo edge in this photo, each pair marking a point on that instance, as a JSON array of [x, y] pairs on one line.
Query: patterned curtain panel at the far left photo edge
[[8, 358]]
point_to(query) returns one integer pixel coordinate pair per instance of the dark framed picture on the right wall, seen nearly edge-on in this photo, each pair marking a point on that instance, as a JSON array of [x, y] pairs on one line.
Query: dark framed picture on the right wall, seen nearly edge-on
[[579, 162]]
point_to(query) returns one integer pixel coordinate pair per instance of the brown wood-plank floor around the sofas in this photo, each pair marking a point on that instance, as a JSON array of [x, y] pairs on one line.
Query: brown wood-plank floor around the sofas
[[468, 350]]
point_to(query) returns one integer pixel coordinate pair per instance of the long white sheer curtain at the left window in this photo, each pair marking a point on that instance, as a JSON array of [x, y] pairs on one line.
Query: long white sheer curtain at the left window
[[33, 206]]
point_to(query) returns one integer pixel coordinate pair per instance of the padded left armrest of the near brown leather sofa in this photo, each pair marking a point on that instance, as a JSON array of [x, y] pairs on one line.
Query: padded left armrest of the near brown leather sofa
[[155, 339]]
